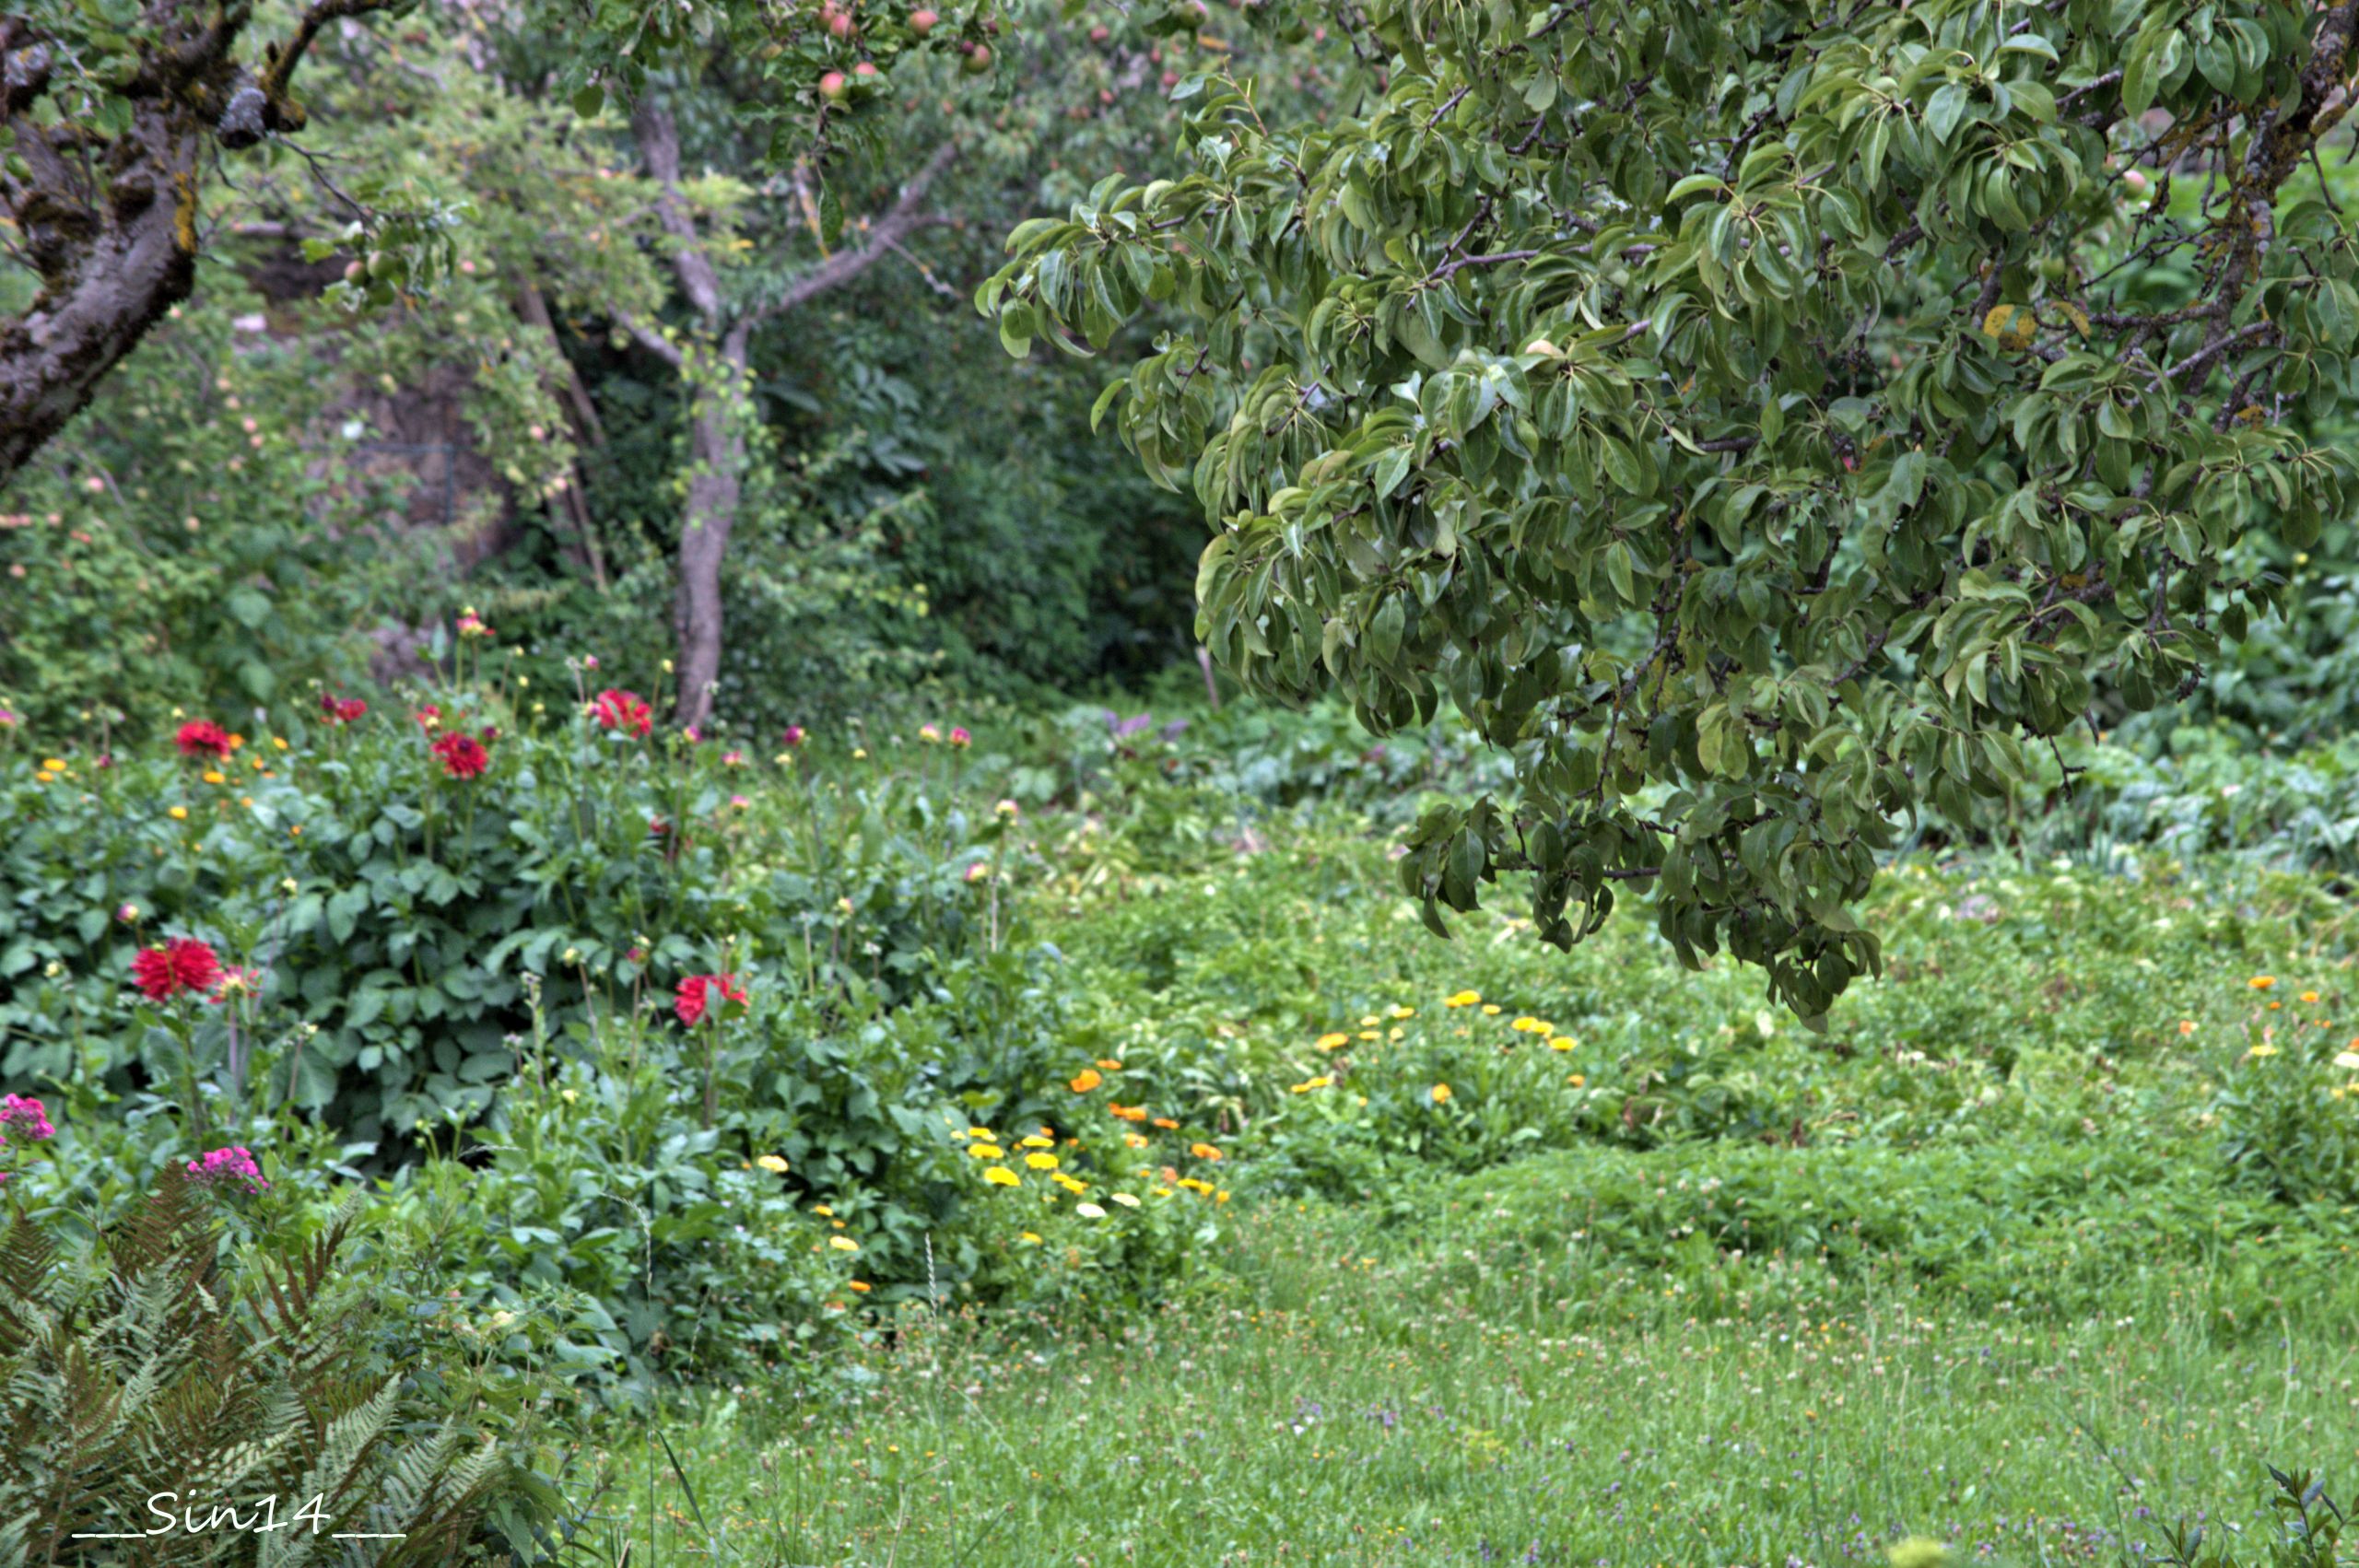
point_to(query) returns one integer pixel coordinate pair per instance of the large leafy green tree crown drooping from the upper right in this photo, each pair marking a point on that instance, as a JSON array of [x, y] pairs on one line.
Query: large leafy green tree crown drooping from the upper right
[[1740, 411]]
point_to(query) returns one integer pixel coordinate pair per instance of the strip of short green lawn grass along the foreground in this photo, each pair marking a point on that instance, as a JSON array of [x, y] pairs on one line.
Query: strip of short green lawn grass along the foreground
[[1358, 1399]]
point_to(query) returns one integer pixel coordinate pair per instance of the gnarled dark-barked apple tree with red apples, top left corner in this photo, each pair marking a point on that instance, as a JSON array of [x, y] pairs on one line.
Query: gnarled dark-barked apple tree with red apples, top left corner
[[117, 112]]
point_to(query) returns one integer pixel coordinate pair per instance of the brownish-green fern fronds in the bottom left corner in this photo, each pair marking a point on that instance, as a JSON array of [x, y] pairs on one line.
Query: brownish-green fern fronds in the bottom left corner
[[140, 1366]]
